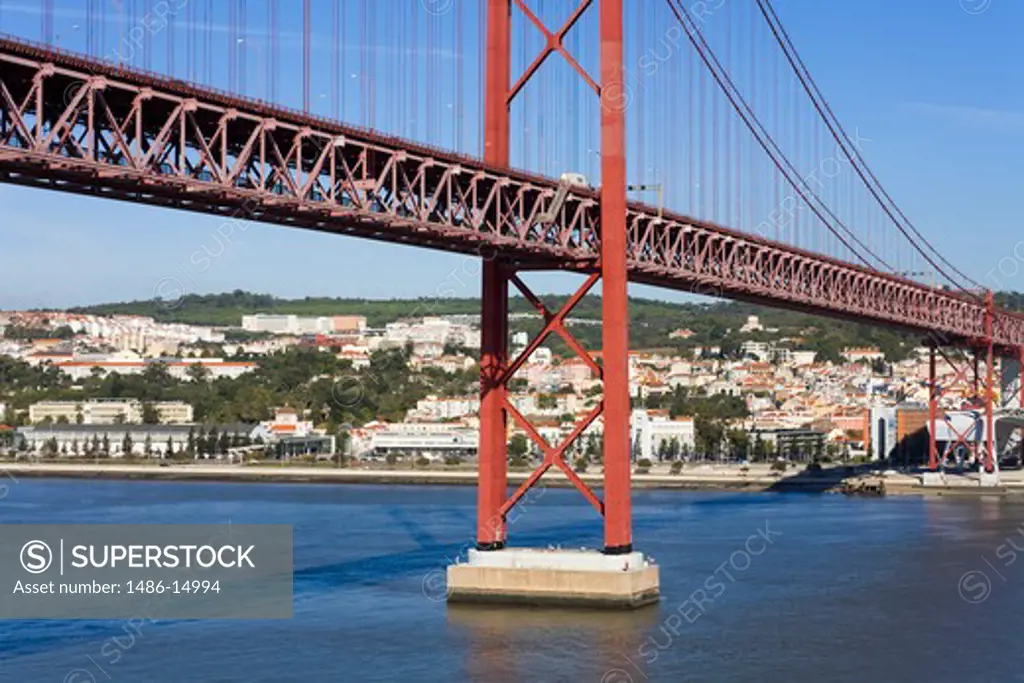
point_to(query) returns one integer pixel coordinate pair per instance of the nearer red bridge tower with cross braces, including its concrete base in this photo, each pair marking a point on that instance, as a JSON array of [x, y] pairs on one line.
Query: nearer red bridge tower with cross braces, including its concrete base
[[496, 572]]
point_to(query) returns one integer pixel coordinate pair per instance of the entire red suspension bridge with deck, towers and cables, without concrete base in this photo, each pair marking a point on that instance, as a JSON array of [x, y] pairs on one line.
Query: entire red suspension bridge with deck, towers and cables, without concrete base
[[468, 115]]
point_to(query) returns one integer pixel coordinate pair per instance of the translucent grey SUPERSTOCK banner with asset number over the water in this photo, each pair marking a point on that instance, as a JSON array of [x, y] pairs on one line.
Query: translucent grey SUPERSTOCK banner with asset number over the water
[[146, 572]]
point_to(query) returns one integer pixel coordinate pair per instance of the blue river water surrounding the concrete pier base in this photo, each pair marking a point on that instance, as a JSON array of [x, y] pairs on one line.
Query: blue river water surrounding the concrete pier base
[[843, 589]]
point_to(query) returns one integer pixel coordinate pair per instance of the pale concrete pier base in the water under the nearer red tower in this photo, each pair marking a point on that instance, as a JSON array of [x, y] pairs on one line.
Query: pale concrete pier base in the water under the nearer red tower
[[538, 577]]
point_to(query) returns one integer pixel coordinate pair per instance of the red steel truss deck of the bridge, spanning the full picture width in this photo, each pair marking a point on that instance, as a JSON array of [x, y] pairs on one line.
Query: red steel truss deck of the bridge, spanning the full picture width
[[83, 126]]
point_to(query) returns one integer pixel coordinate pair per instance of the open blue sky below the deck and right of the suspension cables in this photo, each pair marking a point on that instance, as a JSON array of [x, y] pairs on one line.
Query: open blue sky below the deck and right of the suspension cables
[[935, 90]]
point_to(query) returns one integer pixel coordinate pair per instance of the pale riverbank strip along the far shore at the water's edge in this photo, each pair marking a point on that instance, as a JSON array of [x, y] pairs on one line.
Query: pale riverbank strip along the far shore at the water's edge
[[708, 479]]
